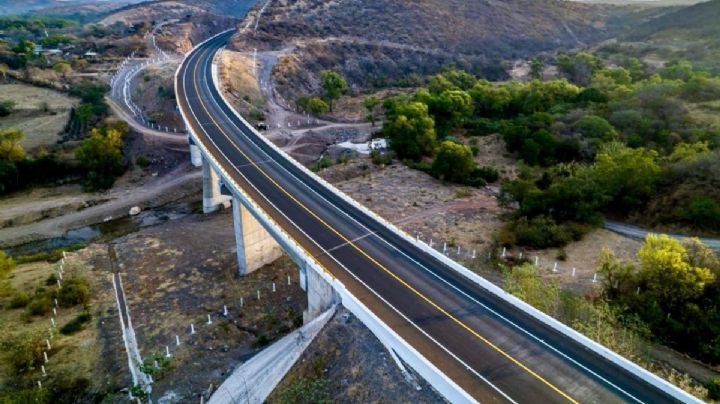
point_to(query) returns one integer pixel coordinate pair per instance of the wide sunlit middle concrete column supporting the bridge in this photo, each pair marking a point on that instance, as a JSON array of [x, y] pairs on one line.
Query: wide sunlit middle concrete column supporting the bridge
[[255, 246]]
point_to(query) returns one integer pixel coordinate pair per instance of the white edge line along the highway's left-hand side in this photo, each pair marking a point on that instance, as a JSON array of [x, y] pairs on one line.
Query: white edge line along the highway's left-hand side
[[494, 387]]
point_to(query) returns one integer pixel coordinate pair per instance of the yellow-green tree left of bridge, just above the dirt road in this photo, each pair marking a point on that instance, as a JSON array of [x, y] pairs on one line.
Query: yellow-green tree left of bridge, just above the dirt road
[[100, 155]]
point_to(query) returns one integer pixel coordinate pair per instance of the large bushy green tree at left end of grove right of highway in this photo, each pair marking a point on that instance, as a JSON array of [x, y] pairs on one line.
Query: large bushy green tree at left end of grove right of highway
[[410, 129]]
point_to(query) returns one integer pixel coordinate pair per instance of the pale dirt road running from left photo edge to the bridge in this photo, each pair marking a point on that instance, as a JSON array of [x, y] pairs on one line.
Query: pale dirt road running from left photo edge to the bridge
[[153, 193]]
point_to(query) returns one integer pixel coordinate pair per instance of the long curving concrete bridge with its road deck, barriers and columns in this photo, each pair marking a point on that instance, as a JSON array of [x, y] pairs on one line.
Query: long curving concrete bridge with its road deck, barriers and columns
[[470, 340]]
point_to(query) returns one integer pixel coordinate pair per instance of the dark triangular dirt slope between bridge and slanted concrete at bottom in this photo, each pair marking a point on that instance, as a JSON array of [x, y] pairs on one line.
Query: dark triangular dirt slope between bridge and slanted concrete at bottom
[[355, 367]]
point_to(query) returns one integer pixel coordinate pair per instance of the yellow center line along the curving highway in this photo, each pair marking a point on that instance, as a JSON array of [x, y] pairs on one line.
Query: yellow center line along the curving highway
[[373, 260]]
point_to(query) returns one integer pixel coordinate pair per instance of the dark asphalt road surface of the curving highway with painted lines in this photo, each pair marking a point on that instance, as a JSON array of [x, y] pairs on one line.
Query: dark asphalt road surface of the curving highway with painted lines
[[493, 350]]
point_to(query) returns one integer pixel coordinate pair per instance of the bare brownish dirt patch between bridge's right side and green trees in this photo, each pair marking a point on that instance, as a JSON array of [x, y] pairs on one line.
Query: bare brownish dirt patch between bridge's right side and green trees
[[419, 203]]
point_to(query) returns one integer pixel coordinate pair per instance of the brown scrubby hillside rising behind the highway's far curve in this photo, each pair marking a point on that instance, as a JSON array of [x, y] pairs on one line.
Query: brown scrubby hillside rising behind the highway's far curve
[[379, 43]]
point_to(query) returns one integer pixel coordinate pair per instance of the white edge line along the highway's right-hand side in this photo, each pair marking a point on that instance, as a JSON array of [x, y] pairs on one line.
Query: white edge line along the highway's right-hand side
[[379, 237]]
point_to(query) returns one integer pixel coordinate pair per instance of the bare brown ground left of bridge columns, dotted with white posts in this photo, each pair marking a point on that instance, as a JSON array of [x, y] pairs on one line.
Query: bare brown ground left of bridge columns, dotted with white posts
[[179, 273]]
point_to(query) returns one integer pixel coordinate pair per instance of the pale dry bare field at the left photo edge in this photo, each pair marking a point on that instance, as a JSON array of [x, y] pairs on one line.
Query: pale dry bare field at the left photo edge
[[39, 112]]
